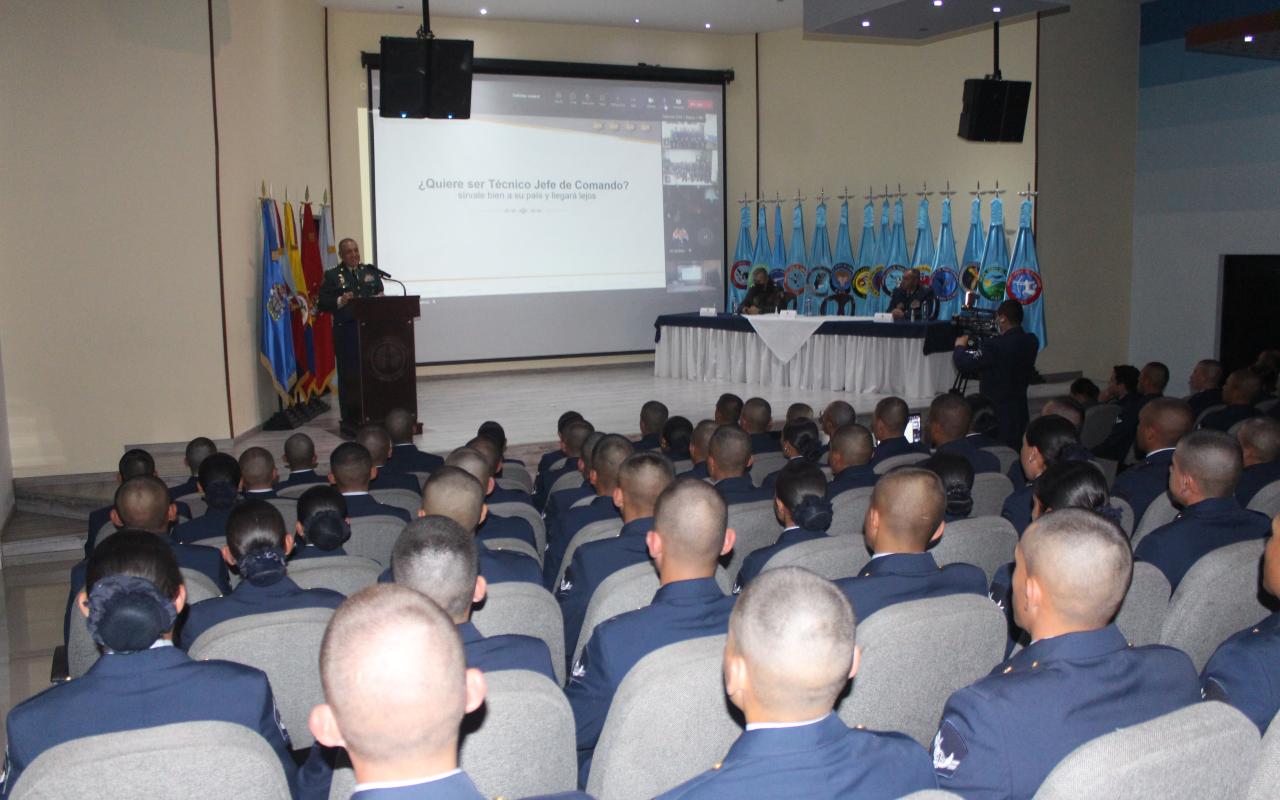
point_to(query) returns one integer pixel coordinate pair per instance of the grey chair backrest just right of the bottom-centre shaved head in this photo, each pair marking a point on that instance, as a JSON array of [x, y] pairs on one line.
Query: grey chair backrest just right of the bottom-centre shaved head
[[916, 656]]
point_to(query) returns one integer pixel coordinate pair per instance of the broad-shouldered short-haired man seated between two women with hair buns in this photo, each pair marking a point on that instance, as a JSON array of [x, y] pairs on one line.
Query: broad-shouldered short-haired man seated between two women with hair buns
[[906, 515]]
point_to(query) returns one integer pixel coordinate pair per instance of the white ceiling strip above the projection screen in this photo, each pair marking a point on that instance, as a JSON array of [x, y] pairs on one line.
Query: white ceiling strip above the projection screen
[[725, 16]]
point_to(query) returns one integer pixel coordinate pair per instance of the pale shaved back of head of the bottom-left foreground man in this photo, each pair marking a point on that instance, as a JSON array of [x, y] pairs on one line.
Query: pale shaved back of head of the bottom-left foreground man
[[394, 673]]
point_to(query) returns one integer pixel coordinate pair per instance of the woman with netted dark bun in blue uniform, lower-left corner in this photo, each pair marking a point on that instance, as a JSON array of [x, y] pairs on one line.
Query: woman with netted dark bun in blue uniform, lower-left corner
[[132, 598]]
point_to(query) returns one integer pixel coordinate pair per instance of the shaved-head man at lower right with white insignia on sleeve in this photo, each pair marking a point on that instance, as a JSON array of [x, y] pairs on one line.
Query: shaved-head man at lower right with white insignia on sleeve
[[1078, 679]]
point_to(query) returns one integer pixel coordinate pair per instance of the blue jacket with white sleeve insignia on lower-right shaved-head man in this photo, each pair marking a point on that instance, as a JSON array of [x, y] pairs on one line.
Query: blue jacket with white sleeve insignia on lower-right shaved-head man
[[1002, 737]]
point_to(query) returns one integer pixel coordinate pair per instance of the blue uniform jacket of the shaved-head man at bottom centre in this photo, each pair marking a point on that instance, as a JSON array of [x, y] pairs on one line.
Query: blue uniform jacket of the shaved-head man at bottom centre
[[824, 760]]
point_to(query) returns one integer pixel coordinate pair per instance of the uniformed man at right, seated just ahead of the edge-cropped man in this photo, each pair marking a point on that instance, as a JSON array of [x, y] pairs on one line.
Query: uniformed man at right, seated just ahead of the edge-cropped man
[[1203, 482]]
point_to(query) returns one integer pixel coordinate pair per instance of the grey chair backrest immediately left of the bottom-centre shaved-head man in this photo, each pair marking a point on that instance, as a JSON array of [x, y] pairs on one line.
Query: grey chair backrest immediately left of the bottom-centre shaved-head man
[[644, 748]]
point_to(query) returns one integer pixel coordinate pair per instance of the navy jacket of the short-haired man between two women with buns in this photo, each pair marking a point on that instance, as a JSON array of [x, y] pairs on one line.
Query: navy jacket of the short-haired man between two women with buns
[[900, 578]]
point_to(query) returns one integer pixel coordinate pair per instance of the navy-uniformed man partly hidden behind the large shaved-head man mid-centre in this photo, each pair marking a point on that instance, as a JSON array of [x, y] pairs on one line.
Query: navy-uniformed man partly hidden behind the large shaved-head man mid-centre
[[642, 478]]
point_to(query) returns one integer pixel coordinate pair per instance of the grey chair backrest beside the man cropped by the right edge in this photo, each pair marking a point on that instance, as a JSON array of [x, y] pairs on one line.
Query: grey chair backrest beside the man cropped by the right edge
[[1218, 597]]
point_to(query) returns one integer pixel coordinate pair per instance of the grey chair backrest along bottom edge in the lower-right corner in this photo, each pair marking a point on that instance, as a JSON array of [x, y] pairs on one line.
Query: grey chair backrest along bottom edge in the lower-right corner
[[1204, 751]]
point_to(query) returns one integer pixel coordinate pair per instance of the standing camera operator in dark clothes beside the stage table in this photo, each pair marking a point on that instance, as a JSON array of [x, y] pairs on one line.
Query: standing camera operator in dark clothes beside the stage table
[[1005, 365]]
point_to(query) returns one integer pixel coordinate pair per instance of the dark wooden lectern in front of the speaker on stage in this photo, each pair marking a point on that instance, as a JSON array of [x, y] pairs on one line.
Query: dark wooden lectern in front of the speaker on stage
[[373, 341]]
